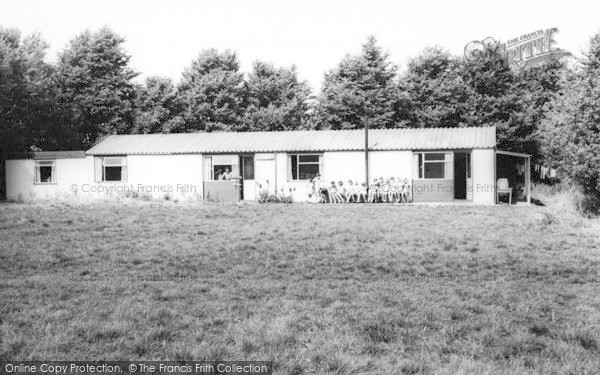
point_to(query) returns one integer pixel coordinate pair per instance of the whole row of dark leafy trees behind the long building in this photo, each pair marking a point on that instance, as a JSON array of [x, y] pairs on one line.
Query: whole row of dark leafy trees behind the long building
[[550, 111]]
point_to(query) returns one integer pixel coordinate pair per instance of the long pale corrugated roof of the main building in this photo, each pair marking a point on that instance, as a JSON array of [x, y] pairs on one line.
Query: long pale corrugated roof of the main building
[[302, 141]]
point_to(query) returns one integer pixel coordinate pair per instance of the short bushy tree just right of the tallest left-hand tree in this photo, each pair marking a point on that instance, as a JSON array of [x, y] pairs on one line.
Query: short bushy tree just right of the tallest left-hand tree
[[158, 107]]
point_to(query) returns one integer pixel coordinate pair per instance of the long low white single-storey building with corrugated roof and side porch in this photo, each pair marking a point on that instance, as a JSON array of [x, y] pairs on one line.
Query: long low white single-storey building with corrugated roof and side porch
[[442, 164]]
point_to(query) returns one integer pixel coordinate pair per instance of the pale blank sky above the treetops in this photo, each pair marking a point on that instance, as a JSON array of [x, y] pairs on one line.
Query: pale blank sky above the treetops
[[163, 37]]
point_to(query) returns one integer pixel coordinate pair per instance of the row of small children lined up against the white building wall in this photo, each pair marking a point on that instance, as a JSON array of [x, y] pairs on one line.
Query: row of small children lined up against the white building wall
[[380, 191]]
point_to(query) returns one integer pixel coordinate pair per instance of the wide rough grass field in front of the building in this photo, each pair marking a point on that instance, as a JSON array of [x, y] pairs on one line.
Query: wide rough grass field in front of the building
[[318, 289]]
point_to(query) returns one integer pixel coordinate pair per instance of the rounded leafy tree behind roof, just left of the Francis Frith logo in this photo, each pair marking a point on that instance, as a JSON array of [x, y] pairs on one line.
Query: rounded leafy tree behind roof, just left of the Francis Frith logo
[[433, 92]]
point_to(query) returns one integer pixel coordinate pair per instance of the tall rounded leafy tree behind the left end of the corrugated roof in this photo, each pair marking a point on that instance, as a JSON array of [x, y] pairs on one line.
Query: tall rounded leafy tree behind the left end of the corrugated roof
[[94, 85]]
